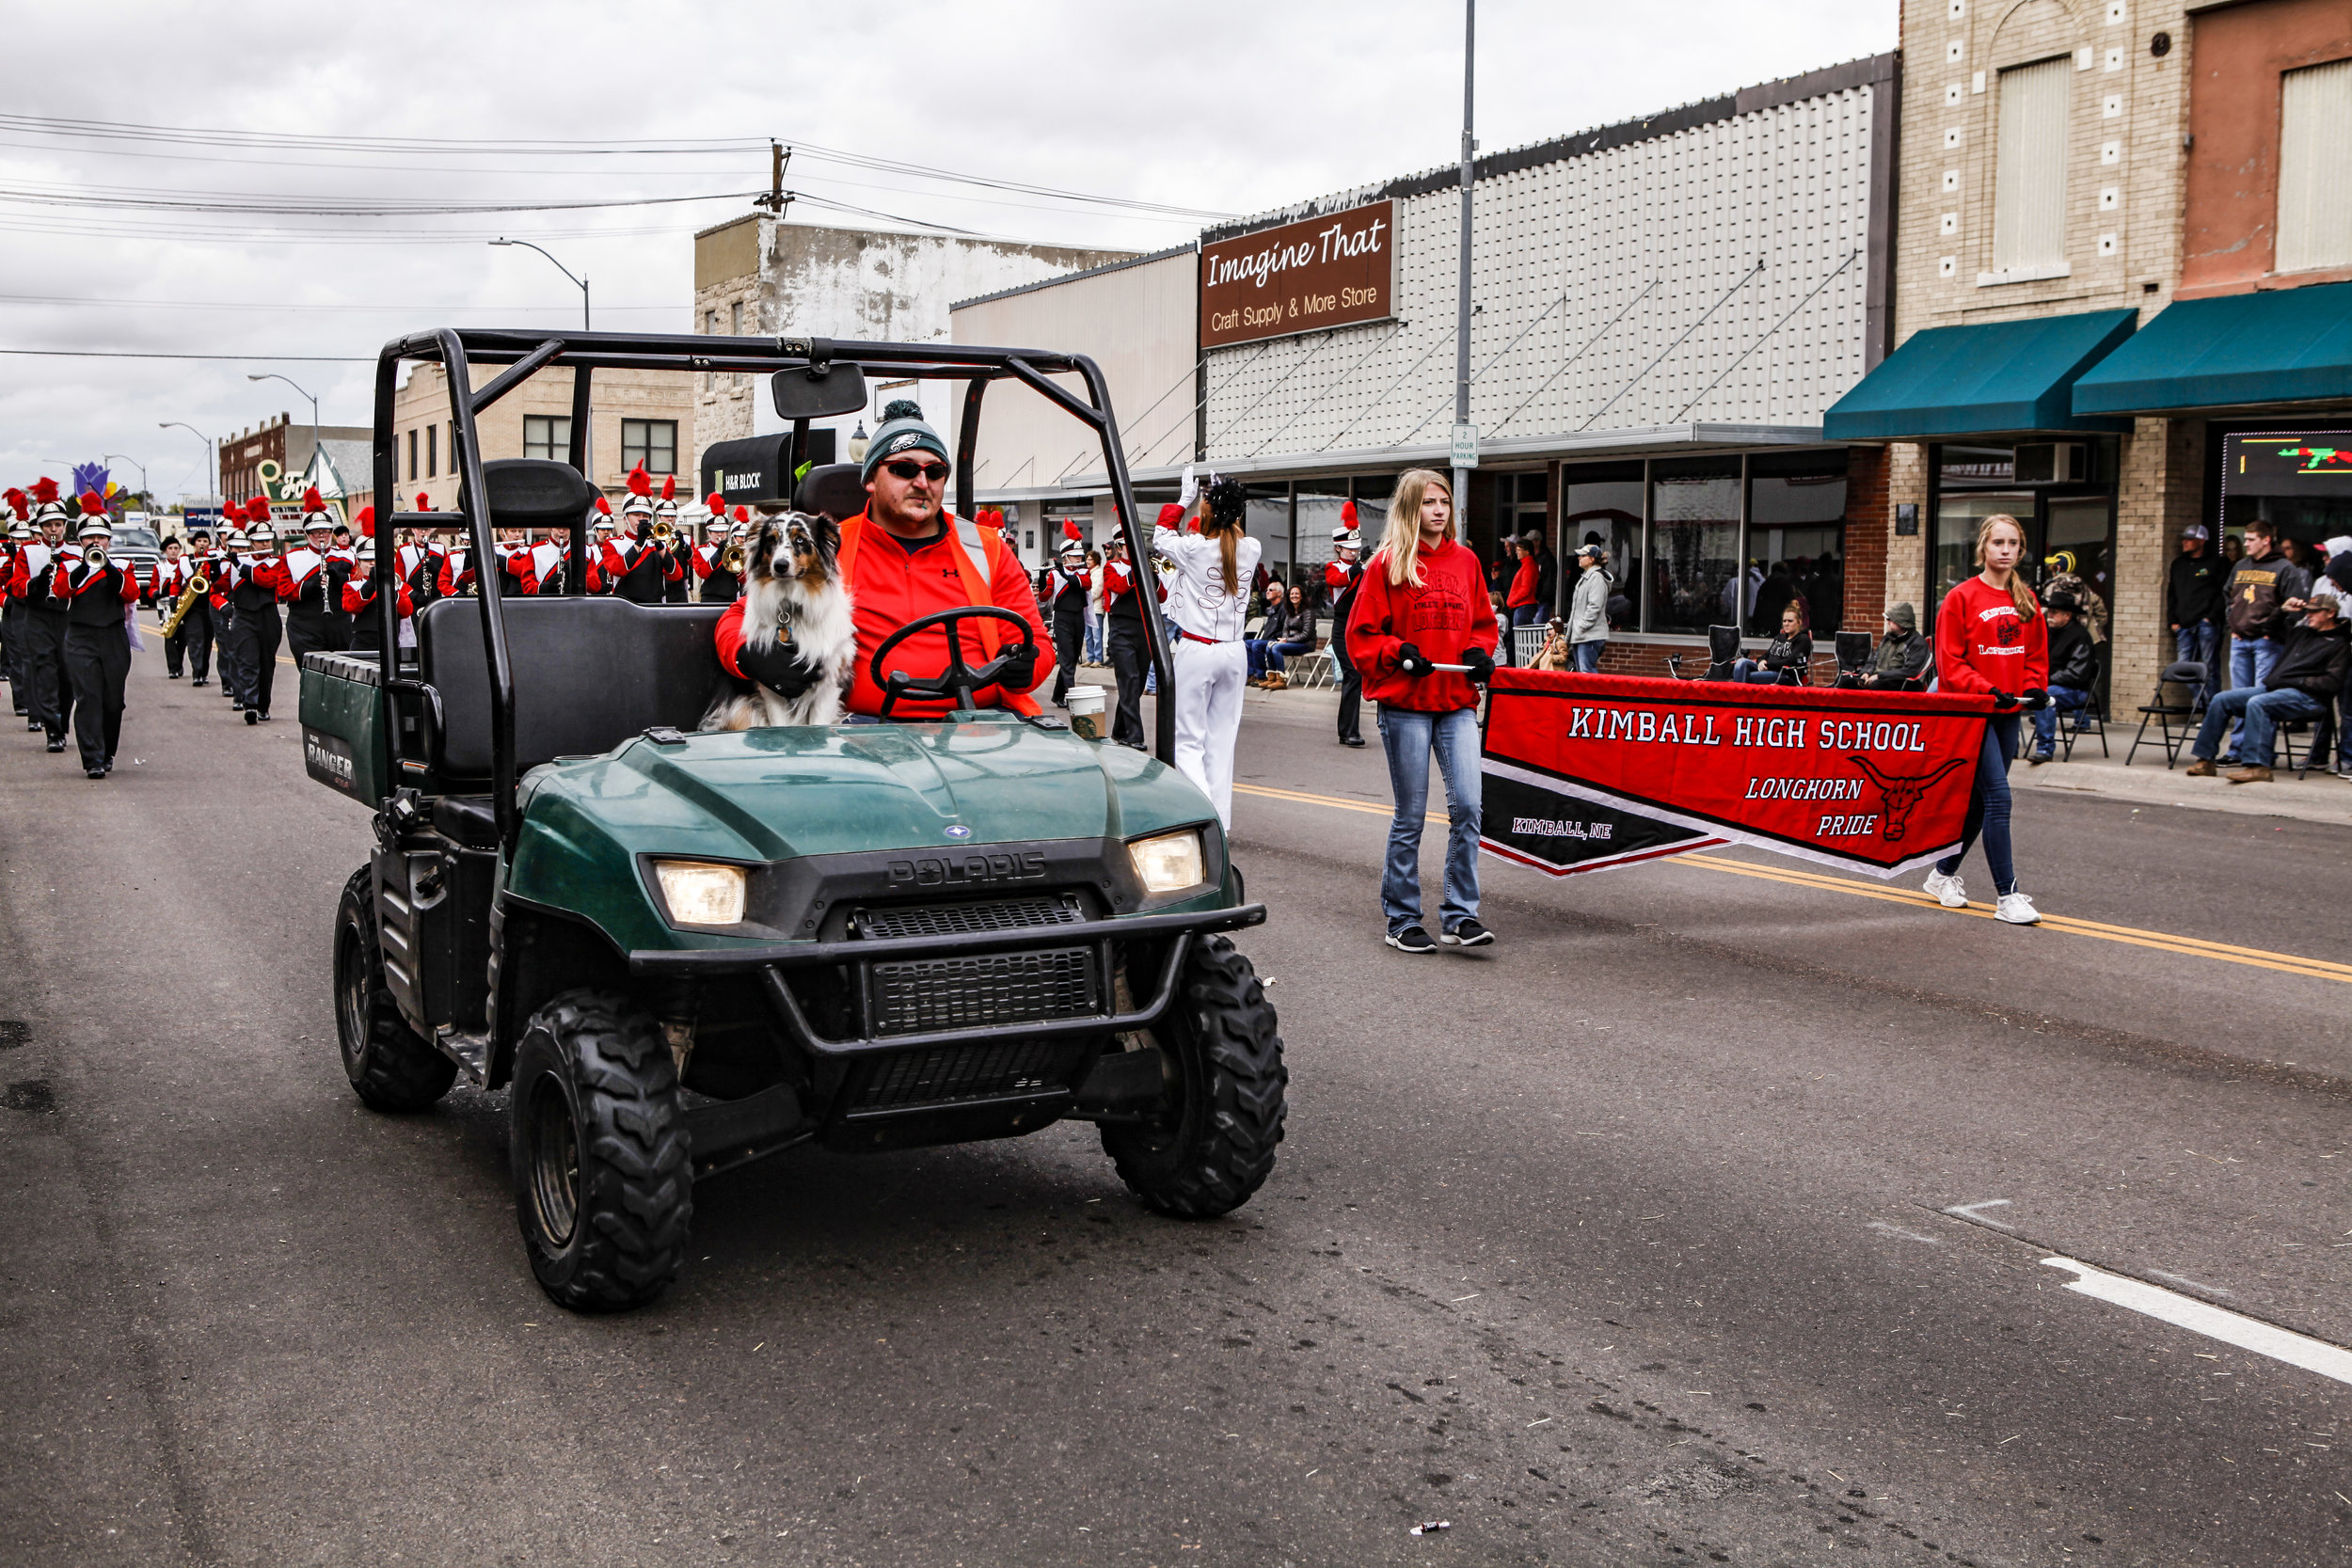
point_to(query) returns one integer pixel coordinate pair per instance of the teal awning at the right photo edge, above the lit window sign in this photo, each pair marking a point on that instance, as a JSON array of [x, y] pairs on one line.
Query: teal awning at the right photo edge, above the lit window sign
[[2229, 354]]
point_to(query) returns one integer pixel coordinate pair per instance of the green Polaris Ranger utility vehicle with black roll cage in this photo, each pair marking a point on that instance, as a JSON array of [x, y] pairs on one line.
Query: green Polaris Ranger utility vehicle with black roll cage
[[681, 953]]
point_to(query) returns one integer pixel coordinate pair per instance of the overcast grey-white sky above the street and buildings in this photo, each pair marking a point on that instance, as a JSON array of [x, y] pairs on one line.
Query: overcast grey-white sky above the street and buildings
[[1220, 107]]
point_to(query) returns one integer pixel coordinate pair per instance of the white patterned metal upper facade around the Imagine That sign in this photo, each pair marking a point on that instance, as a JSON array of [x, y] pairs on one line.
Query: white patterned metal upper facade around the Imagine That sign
[[1713, 274]]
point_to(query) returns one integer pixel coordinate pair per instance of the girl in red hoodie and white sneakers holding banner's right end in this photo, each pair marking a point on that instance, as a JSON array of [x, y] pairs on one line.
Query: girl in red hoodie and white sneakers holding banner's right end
[[1991, 638]]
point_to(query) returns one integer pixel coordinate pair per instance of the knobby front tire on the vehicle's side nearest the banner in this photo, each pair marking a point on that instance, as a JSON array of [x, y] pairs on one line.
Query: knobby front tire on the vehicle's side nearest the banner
[[1217, 1144]]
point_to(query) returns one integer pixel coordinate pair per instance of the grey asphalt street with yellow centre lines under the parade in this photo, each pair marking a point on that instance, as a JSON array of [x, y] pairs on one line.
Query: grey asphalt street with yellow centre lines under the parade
[[1697, 1221]]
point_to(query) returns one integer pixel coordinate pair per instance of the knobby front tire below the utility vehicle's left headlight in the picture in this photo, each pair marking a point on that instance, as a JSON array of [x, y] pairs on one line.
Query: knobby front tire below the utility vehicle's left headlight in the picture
[[603, 1181]]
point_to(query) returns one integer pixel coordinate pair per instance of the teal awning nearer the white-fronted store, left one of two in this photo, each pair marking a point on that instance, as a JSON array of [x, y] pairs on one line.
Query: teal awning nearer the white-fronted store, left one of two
[[1982, 380]]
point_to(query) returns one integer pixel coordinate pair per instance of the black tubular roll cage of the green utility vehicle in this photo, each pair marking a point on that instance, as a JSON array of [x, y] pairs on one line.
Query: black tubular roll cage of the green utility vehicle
[[526, 354]]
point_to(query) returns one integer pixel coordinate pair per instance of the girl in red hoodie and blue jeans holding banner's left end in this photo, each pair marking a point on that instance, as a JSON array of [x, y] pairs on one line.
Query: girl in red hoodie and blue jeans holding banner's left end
[[1424, 605]]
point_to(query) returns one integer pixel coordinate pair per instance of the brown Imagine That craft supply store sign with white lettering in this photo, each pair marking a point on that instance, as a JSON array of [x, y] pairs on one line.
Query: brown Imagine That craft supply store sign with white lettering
[[1309, 276]]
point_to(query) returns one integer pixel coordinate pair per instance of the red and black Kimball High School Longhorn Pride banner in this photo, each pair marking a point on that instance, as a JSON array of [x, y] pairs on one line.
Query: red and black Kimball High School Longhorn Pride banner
[[1591, 772]]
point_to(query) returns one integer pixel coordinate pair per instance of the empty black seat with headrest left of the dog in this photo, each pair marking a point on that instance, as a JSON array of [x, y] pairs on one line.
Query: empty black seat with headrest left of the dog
[[589, 671]]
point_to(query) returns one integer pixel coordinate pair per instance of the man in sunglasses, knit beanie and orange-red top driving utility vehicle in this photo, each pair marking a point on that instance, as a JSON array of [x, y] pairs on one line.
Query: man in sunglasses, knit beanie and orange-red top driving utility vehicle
[[907, 558]]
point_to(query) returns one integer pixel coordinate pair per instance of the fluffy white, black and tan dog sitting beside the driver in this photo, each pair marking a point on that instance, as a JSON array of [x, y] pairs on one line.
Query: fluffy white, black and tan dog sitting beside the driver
[[794, 591]]
